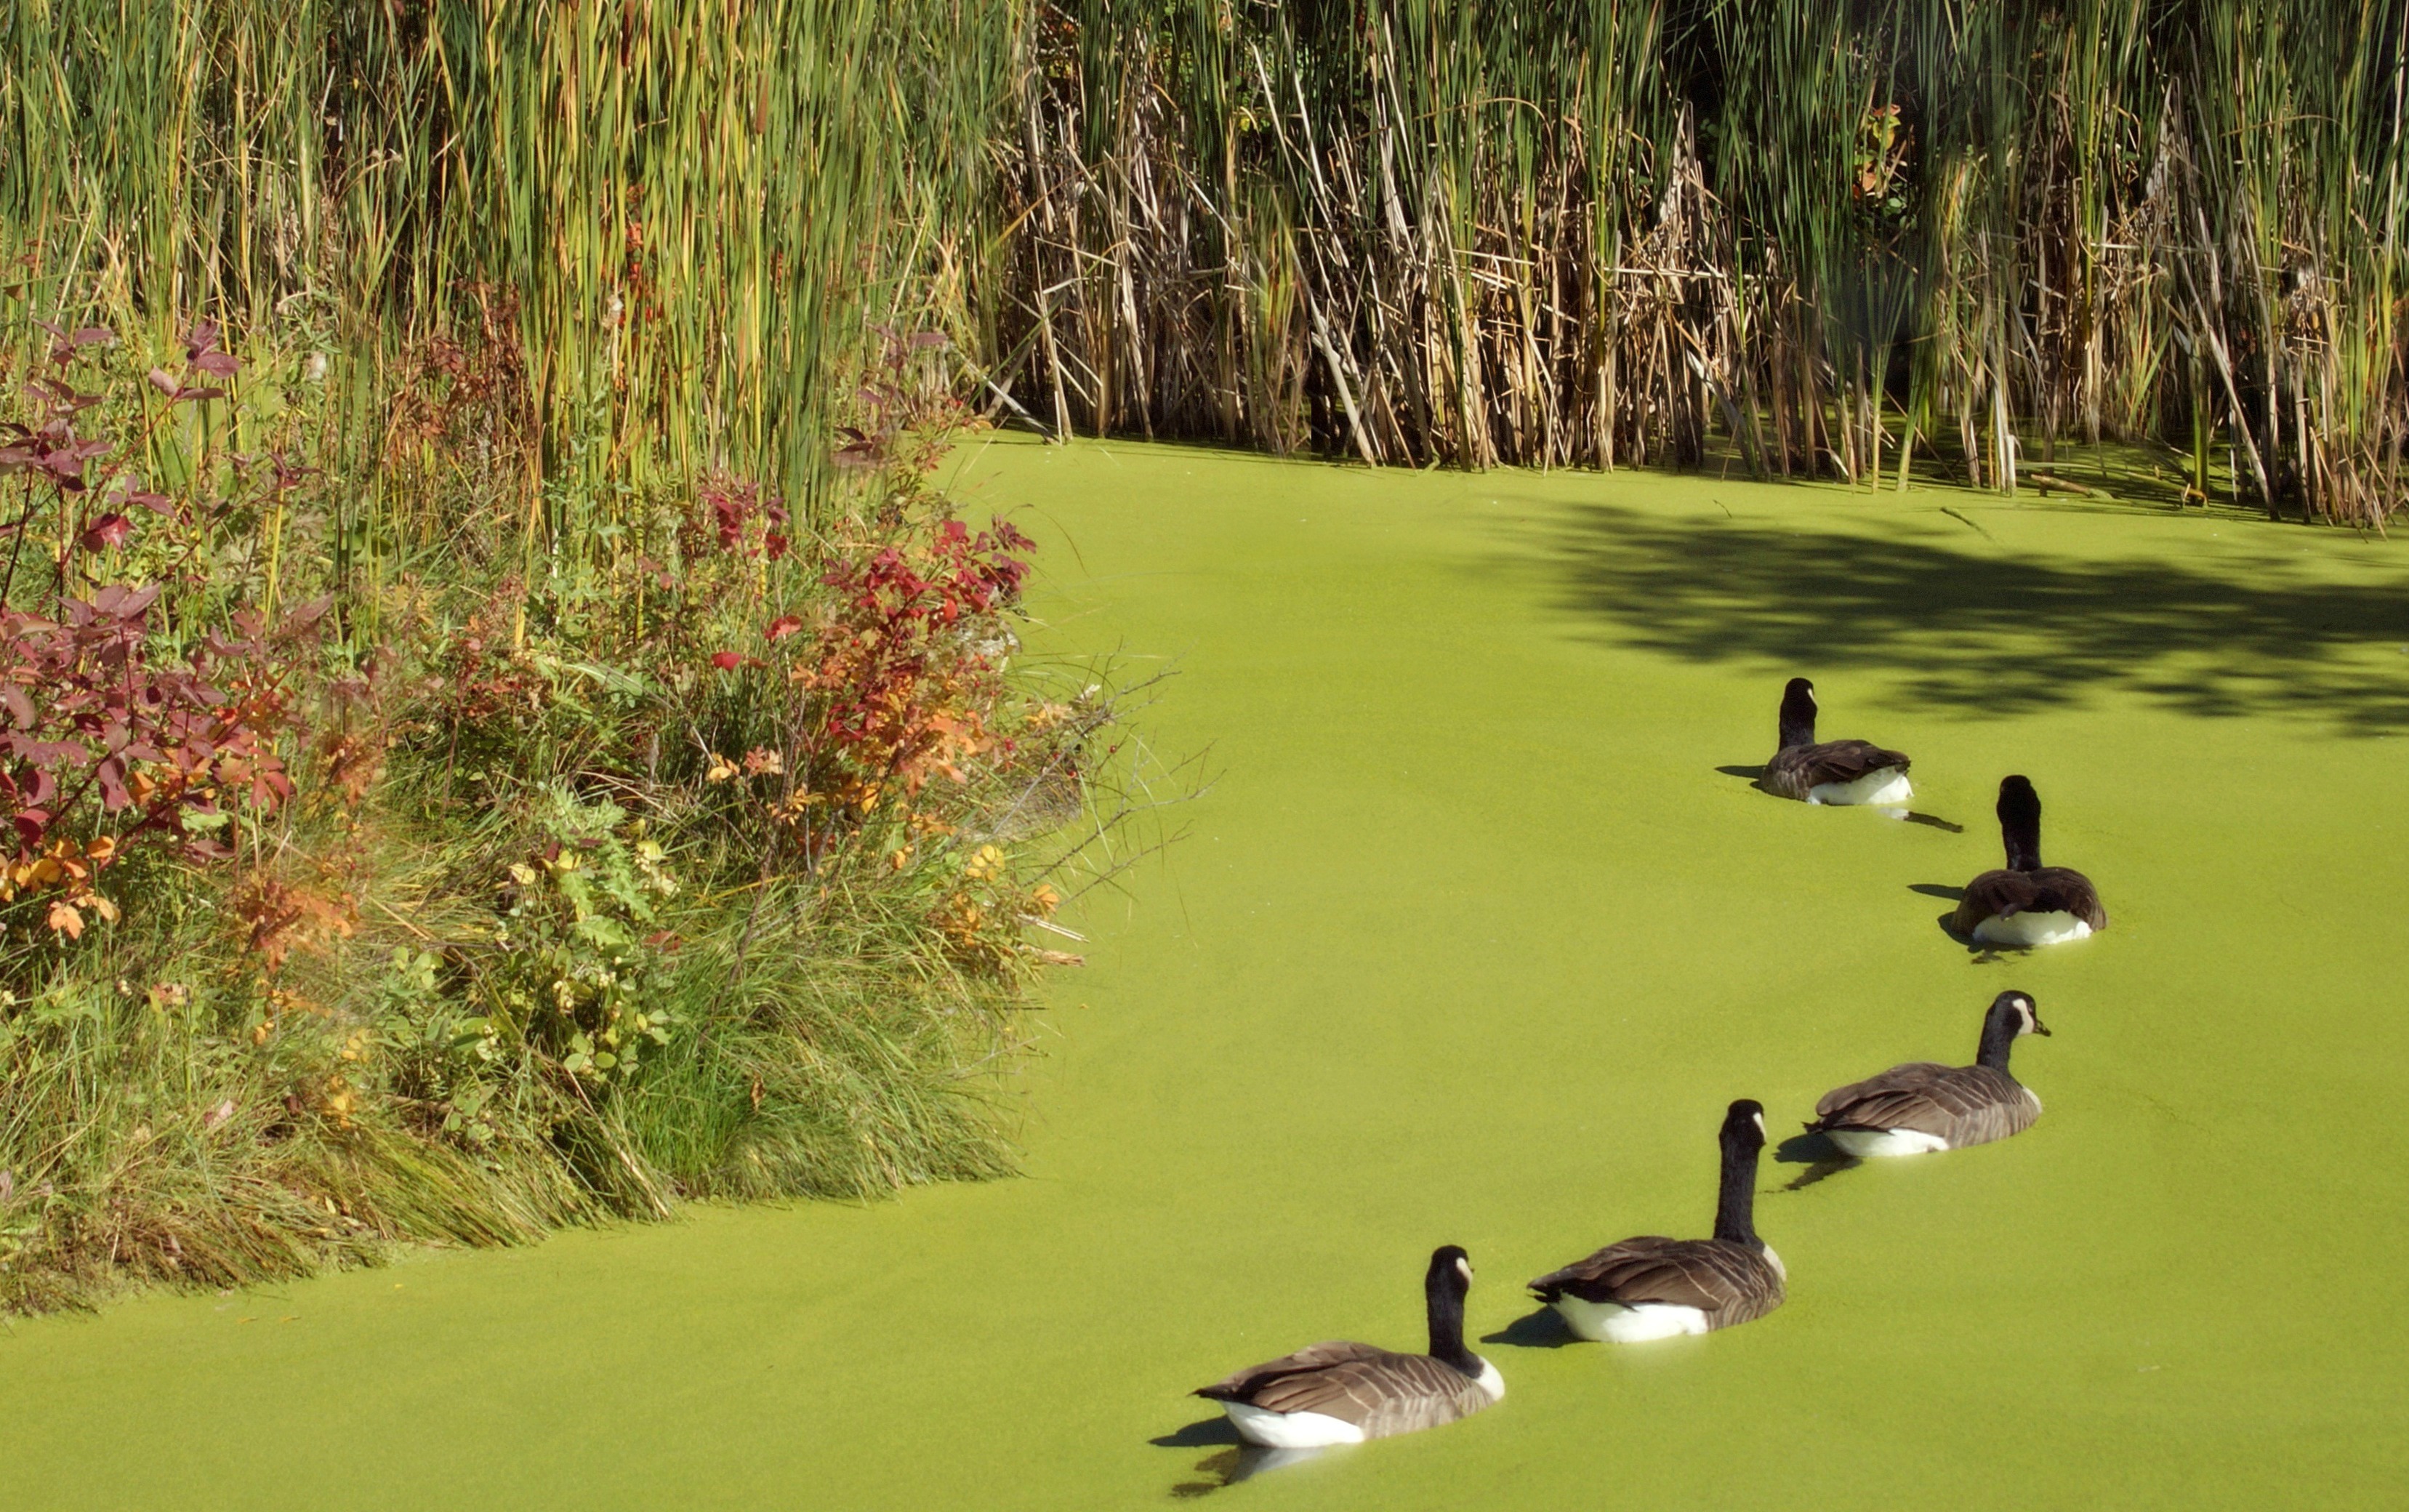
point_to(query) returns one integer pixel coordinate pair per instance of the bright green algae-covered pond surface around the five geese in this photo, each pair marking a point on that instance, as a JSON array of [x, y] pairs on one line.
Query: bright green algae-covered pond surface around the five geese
[[1473, 938]]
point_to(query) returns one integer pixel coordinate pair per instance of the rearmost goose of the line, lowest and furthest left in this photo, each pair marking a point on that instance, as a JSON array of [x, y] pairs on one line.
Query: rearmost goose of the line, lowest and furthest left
[[1348, 1393]]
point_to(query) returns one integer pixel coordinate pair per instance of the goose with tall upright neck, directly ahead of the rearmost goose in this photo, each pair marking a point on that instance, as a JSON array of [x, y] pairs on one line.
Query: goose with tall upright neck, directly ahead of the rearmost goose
[[1656, 1287]]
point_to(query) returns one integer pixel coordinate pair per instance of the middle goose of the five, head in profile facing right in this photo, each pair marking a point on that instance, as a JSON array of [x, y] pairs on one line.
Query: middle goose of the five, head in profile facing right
[[1919, 1109]]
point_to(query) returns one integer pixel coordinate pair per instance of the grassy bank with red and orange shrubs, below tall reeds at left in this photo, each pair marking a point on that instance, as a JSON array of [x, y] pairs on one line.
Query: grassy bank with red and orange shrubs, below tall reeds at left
[[457, 906]]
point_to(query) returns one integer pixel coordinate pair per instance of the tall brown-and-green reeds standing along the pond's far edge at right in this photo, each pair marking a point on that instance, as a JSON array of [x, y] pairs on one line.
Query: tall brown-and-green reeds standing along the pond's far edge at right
[[1825, 237]]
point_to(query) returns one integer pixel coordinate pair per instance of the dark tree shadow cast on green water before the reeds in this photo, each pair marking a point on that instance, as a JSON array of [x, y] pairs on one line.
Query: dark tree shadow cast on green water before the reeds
[[1991, 634]]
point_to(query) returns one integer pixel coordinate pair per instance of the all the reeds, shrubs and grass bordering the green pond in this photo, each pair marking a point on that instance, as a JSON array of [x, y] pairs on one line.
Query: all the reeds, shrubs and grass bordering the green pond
[[502, 726]]
